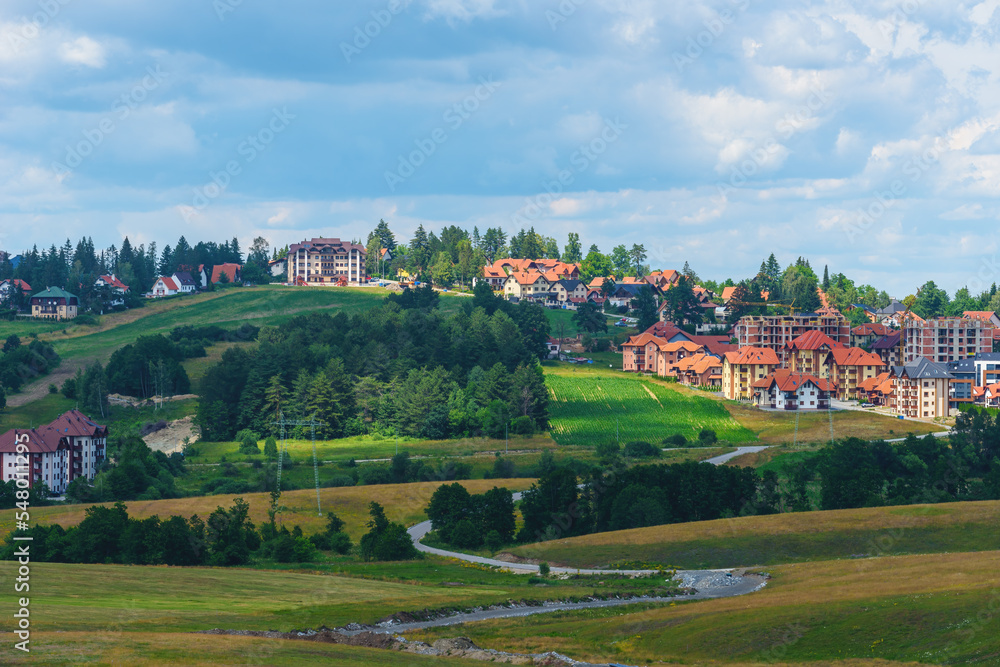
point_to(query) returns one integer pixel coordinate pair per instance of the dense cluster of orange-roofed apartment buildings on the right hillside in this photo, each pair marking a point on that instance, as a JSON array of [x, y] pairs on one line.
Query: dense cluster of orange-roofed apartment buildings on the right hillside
[[800, 361]]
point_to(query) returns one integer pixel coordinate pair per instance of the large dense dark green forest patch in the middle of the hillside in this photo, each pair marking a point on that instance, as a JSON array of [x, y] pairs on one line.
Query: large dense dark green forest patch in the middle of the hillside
[[402, 367]]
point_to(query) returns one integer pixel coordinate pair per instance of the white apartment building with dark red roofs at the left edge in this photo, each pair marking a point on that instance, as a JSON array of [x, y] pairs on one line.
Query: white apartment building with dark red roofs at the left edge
[[72, 446]]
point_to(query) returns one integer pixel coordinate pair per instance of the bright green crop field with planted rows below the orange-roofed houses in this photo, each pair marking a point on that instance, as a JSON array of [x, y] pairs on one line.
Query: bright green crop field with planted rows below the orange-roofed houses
[[587, 405]]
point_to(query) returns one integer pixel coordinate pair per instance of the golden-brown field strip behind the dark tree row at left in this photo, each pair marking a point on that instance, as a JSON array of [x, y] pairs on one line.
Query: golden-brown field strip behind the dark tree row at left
[[403, 503]]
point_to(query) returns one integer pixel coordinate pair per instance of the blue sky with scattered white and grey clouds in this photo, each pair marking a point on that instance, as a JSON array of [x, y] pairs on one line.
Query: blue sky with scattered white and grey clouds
[[863, 135]]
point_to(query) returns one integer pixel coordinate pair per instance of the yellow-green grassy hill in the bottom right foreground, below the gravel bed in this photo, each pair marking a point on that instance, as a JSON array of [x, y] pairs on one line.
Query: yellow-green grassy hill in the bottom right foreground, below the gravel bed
[[937, 609]]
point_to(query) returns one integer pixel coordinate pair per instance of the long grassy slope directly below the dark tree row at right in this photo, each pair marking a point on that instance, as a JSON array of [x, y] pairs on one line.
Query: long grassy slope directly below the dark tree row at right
[[788, 538]]
